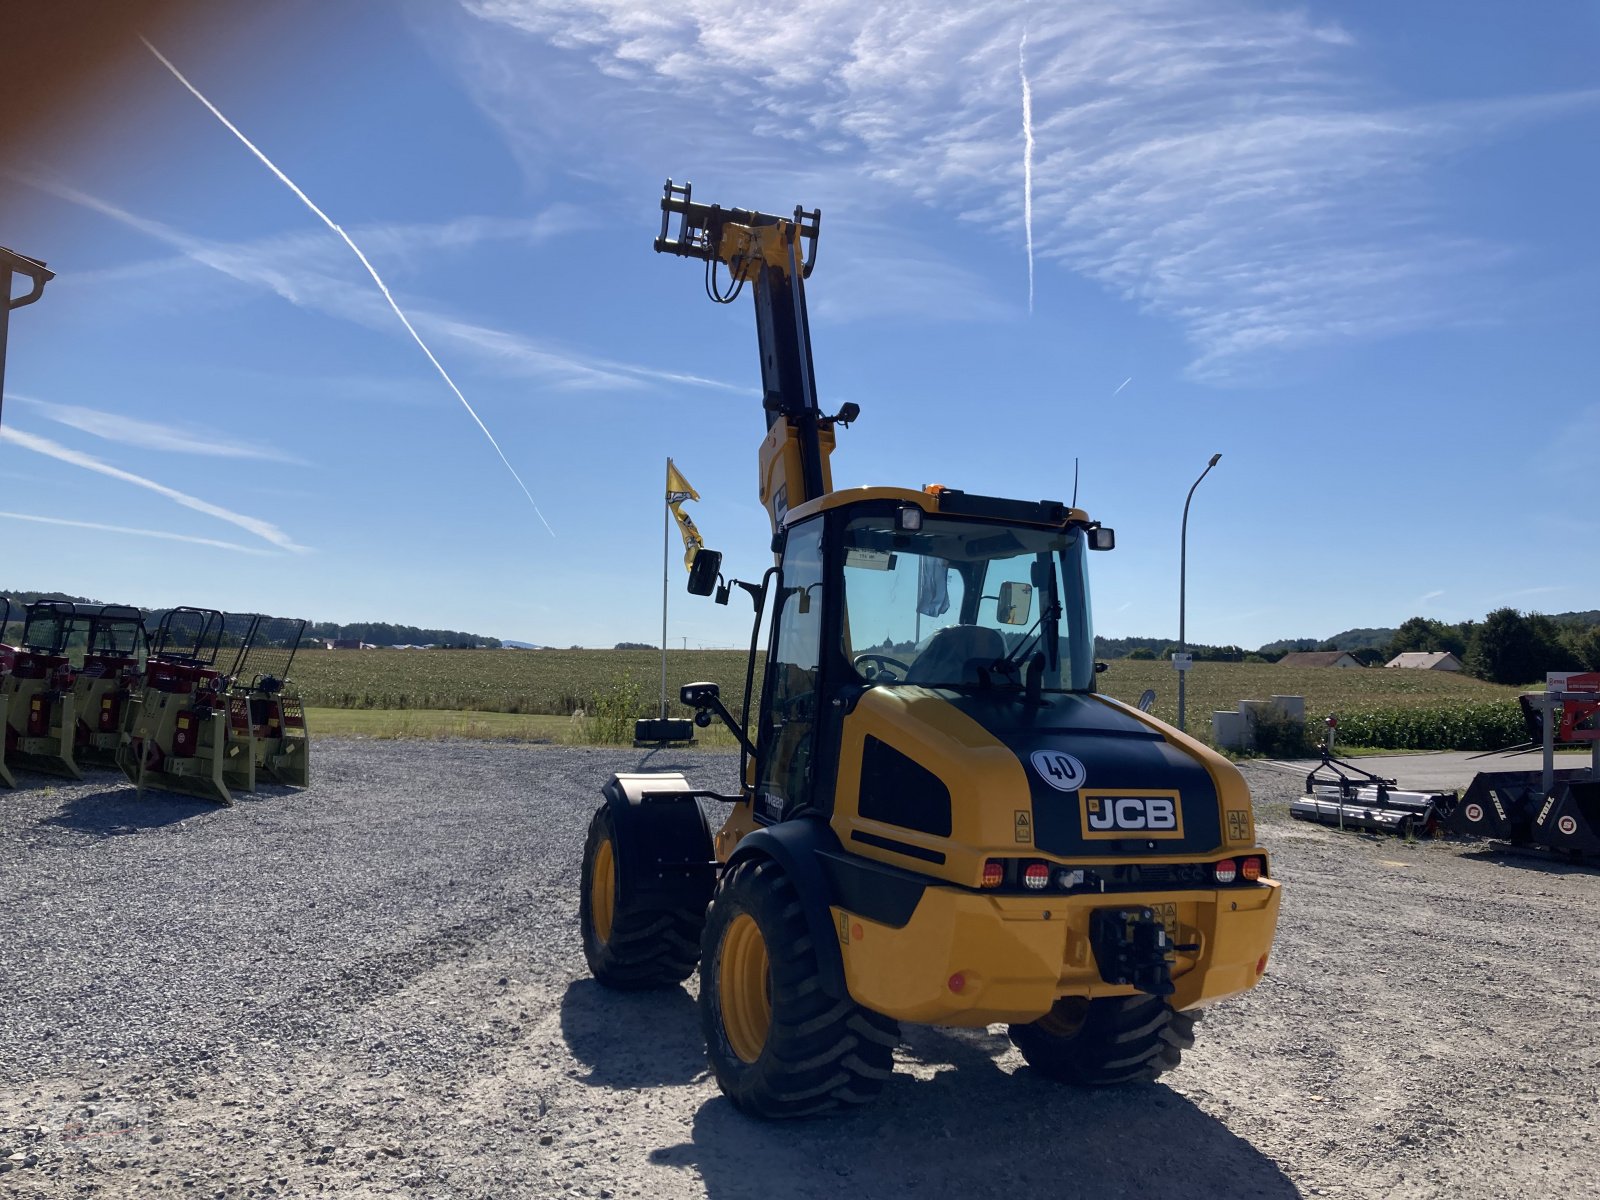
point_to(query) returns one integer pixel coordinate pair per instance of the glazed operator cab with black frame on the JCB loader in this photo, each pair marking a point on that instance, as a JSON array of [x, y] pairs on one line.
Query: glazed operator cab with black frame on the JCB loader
[[914, 591]]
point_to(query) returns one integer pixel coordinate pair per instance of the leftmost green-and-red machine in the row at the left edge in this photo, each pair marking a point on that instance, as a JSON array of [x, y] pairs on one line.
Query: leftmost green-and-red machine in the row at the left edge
[[41, 718]]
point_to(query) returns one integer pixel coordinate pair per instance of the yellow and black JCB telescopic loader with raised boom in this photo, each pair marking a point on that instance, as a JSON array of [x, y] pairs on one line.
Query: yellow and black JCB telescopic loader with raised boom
[[940, 820]]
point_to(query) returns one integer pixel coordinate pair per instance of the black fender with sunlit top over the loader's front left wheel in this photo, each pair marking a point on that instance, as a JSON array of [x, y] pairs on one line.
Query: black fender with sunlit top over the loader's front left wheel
[[663, 846]]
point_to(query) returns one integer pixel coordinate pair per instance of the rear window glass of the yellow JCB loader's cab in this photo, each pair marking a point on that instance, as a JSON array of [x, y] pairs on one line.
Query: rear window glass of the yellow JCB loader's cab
[[946, 604]]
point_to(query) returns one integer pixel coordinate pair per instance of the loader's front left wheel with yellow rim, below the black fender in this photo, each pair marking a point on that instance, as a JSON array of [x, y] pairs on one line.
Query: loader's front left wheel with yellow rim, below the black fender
[[631, 948]]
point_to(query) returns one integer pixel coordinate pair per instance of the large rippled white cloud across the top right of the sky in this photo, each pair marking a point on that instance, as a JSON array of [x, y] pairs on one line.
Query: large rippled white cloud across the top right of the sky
[[1223, 167]]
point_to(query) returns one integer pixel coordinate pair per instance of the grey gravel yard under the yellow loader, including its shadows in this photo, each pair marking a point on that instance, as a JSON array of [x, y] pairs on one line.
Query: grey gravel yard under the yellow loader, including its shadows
[[375, 988]]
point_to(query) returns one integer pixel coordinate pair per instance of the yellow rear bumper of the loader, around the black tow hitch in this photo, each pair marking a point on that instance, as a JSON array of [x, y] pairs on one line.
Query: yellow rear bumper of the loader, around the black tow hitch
[[1017, 956]]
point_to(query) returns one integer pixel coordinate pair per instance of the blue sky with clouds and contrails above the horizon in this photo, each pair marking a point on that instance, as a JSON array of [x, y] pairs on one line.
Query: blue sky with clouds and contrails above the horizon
[[1351, 247]]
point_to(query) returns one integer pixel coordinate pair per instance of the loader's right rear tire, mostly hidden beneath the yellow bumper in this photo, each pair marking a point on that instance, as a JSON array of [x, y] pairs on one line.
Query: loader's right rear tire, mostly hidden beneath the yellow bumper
[[1127, 1039]]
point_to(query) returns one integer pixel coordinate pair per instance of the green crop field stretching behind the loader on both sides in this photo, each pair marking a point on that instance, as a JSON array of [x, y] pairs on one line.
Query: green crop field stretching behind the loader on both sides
[[617, 686]]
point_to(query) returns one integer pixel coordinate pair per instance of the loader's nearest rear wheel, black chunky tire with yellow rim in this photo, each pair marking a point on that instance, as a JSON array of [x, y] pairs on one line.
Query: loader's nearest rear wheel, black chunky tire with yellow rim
[[806, 1054]]
